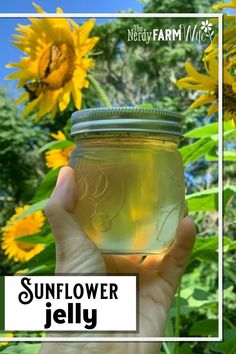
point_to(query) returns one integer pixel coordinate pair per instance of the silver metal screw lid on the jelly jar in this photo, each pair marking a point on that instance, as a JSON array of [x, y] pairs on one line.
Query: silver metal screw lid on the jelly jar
[[126, 119]]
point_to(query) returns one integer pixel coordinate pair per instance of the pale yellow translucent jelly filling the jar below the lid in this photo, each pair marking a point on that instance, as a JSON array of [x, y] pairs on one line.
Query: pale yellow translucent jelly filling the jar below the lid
[[131, 192]]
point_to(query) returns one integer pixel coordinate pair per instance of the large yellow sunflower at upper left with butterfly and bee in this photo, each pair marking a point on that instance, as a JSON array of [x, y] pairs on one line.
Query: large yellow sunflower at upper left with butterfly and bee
[[56, 64]]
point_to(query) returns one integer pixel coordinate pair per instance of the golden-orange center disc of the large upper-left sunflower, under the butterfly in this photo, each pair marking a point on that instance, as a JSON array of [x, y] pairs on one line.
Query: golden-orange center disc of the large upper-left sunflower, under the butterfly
[[56, 65]]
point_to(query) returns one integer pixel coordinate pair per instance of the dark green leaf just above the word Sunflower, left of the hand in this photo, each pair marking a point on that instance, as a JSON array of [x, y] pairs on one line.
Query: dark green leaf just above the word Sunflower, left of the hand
[[46, 257]]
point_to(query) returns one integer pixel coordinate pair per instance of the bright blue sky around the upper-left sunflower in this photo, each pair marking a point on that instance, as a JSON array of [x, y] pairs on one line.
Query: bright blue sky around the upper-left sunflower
[[7, 25]]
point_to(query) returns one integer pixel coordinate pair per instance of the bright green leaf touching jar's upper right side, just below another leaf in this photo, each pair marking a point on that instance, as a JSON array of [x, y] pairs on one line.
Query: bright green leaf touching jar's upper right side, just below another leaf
[[194, 151]]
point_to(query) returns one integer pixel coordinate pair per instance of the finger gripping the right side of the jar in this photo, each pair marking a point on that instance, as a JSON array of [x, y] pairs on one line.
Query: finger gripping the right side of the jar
[[175, 260]]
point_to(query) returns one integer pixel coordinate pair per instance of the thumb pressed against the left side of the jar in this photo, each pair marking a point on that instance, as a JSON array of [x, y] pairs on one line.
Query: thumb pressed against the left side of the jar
[[75, 252]]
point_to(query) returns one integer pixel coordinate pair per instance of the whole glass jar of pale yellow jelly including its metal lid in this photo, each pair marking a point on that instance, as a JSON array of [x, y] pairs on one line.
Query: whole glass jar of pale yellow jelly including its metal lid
[[130, 177]]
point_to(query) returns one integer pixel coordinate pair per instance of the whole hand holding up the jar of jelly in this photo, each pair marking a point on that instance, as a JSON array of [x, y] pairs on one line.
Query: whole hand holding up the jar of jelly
[[159, 275]]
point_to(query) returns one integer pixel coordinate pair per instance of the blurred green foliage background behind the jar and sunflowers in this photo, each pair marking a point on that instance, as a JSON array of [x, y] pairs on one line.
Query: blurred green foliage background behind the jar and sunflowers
[[136, 73]]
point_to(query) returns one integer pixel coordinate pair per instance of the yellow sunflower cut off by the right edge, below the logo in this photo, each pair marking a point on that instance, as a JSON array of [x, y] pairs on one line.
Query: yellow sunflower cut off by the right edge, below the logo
[[209, 83]]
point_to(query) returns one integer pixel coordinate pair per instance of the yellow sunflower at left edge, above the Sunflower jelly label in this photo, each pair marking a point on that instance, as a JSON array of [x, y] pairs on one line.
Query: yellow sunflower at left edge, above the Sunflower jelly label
[[18, 227]]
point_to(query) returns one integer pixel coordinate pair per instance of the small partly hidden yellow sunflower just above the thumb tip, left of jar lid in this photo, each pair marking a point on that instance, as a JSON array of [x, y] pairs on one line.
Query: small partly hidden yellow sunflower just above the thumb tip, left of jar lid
[[56, 158]]
